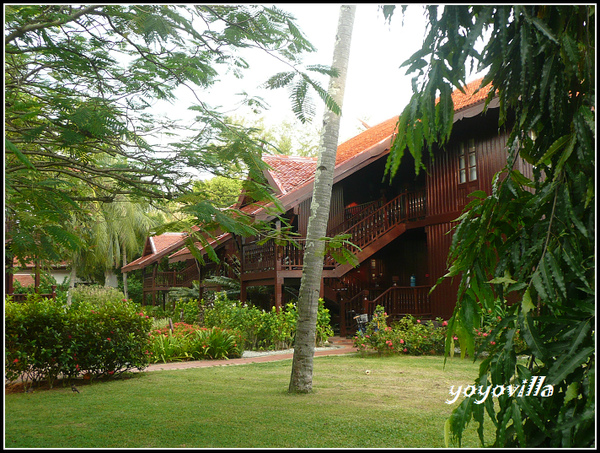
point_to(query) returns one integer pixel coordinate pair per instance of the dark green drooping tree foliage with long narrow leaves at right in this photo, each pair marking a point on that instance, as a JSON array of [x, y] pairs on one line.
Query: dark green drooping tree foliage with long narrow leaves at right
[[532, 240]]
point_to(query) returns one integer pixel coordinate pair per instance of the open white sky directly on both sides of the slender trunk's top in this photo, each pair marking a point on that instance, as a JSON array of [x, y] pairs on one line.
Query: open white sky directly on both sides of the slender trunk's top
[[376, 87]]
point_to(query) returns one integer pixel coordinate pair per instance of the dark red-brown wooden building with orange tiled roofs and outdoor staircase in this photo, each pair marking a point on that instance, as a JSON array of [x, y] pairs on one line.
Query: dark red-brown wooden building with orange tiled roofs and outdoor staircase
[[402, 227]]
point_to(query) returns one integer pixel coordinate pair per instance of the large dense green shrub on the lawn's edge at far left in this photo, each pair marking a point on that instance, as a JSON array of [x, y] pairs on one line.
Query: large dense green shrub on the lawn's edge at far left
[[45, 338]]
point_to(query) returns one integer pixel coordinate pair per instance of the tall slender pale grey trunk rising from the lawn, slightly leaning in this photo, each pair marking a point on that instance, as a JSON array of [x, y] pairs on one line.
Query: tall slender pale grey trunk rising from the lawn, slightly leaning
[[308, 299]]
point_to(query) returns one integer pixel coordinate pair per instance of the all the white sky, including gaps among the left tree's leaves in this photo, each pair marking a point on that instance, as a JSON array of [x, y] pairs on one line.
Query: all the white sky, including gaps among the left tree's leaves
[[376, 88]]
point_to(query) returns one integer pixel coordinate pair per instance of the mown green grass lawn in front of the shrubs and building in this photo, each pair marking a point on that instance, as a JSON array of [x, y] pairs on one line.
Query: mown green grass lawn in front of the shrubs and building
[[400, 404]]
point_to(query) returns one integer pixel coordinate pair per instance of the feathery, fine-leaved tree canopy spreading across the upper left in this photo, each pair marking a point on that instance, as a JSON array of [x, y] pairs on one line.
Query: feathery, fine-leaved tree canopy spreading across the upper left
[[81, 83]]
